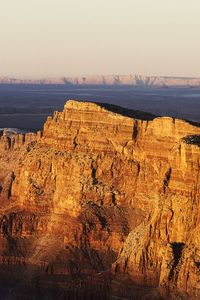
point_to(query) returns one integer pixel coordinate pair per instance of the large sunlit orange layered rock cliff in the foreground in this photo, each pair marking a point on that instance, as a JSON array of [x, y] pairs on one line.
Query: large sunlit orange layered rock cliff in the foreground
[[105, 203]]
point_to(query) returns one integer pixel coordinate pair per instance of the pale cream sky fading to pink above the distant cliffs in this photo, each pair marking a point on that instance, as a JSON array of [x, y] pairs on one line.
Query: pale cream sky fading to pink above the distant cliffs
[[53, 38]]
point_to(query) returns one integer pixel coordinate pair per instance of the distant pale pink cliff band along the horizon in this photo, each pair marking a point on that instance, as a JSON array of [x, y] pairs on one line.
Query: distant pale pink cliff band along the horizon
[[134, 80]]
